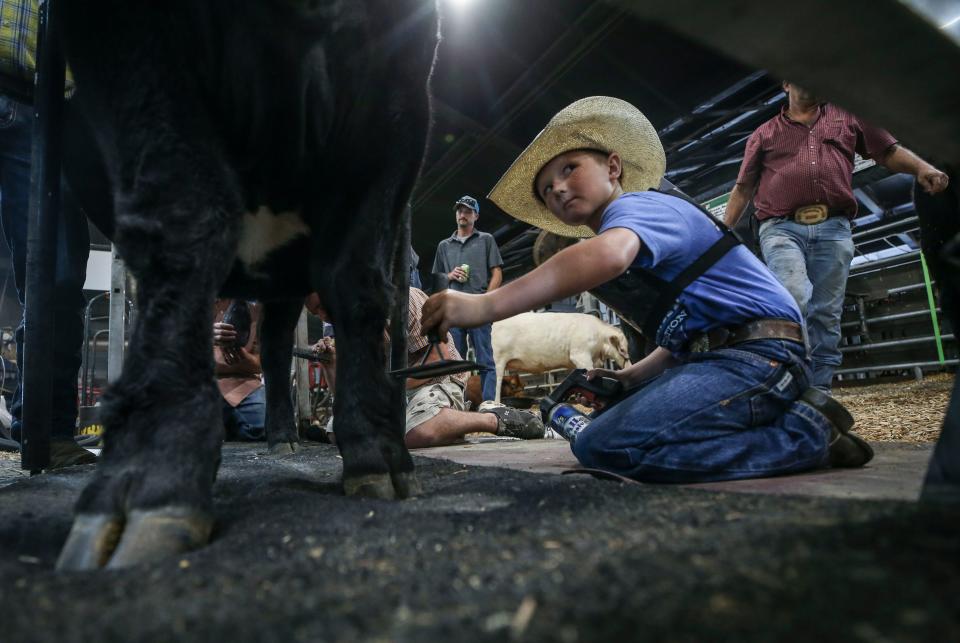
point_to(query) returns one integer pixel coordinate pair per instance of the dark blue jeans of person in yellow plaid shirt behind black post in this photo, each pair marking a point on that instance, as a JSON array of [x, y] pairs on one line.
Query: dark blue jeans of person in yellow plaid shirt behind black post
[[73, 247]]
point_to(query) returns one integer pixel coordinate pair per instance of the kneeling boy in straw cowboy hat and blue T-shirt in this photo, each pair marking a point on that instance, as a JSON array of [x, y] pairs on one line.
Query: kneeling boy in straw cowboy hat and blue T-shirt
[[725, 393]]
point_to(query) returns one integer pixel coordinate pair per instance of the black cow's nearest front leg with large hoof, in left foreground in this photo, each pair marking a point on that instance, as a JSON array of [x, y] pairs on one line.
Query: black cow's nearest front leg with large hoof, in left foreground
[[151, 495]]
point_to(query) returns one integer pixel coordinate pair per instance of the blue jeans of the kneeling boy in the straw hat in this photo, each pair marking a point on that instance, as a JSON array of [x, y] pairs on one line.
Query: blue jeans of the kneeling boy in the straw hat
[[725, 414]]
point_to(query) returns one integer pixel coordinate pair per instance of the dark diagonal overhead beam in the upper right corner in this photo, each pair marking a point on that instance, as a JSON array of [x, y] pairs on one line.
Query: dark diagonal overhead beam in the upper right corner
[[878, 58]]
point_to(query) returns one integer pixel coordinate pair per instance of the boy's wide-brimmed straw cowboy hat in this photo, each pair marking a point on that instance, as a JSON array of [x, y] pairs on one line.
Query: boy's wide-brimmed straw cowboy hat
[[598, 123]]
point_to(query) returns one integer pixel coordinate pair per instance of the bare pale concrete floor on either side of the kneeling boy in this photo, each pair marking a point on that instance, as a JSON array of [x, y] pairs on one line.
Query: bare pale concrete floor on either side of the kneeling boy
[[896, 472]]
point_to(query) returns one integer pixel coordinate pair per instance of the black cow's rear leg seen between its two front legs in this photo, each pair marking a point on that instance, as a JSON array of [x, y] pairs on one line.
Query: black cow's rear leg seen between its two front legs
[[276, 353]]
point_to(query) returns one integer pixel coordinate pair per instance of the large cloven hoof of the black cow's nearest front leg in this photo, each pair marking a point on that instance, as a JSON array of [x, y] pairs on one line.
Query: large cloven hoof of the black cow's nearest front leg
[[148, 536]]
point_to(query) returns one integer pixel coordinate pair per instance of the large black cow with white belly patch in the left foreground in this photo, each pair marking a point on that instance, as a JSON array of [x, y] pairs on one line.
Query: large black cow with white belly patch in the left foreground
[[264, 149]]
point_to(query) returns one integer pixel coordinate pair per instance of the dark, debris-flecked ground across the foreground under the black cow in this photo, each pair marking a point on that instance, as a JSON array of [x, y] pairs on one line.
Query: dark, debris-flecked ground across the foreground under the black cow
[[490, 554]]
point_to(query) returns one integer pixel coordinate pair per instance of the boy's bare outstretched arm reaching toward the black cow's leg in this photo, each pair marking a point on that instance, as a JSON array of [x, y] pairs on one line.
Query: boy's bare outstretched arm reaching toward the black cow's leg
[[571, 271]]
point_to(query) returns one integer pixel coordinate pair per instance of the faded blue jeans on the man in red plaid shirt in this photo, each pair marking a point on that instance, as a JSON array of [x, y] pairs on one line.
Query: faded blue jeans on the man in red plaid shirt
[[813, 262]]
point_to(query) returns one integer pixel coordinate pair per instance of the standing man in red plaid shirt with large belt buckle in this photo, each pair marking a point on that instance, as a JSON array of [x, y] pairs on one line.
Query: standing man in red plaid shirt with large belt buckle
[[798, 169]]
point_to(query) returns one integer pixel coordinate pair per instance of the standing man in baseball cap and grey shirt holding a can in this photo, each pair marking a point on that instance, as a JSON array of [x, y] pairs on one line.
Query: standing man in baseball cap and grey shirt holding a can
[[471, 260]]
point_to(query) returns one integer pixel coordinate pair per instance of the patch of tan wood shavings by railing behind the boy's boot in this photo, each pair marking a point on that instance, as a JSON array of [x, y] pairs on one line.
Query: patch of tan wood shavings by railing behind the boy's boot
[[910, 410]]
